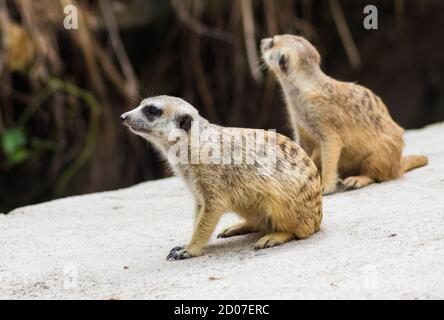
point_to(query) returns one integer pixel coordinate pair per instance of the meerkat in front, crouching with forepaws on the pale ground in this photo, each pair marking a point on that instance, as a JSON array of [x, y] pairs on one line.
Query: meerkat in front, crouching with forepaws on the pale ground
[[283, 201]]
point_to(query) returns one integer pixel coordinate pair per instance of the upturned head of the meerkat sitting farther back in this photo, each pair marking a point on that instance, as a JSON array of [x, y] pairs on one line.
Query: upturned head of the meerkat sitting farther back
[[289, 54]]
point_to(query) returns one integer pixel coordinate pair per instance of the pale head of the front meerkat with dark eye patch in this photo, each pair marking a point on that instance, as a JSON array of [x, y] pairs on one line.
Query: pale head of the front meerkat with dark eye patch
[[156, 117]]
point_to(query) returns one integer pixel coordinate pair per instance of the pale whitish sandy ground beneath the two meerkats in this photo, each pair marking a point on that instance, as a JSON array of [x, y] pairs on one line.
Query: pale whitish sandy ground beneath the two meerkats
[[385, 241]]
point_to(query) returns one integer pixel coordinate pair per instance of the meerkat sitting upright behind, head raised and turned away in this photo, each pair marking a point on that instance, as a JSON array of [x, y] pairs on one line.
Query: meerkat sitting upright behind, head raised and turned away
[[344, 127]]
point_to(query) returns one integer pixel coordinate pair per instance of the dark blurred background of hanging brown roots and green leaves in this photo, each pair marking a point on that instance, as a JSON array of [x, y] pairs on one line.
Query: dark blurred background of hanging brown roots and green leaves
[[62, 91]]
